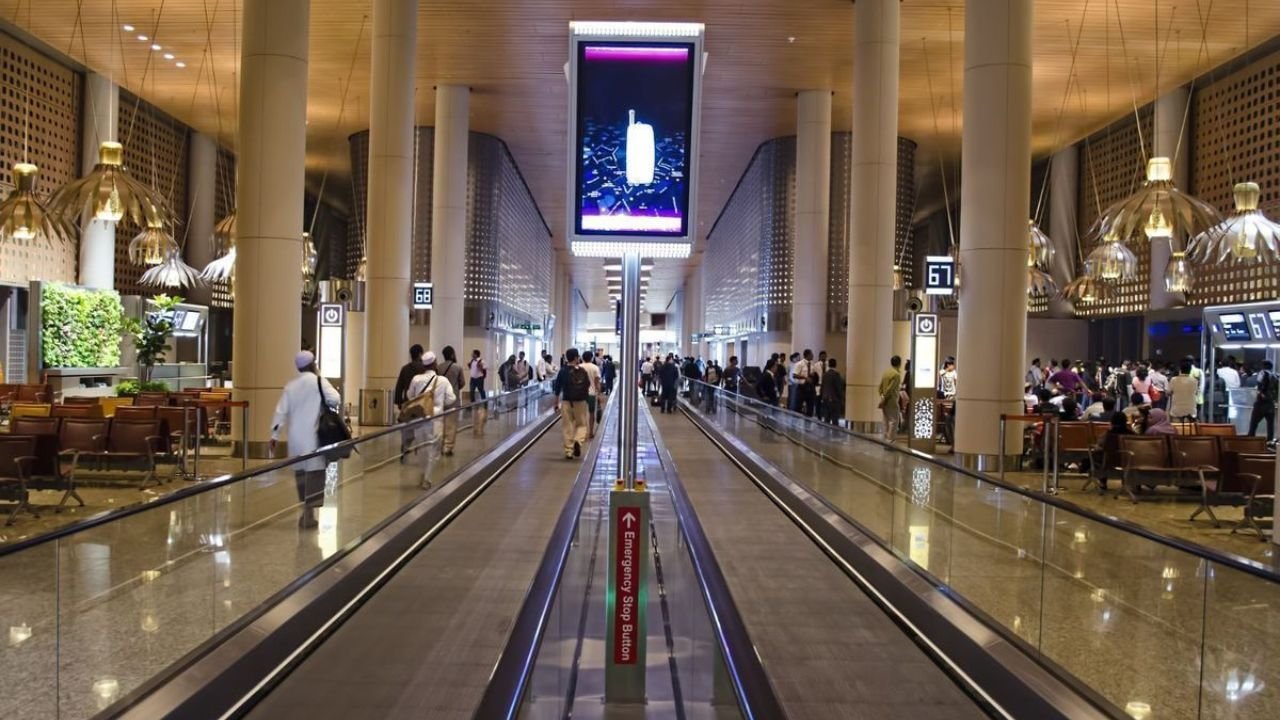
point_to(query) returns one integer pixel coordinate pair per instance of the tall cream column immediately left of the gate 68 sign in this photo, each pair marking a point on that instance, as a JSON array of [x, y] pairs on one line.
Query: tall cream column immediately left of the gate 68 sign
[[391, 193]]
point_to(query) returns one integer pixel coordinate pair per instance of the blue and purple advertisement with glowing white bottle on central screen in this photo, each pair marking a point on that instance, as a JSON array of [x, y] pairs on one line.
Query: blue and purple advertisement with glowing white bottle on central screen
[[636, 104]]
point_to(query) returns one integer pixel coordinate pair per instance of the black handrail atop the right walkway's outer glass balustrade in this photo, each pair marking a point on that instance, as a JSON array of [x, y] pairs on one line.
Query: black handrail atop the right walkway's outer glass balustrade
[[1212, 555]]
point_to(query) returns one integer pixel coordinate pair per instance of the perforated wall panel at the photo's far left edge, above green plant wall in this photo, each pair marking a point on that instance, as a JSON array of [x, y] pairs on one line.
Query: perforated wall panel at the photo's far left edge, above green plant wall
[[43, 95]]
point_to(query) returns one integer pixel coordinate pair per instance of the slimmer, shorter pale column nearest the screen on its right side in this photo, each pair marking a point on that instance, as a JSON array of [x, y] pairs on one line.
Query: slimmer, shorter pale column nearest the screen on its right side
[[813, 221]]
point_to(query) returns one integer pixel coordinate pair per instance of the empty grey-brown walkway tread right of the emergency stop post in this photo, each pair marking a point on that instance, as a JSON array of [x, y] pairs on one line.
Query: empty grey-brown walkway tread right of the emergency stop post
[[829, 650]]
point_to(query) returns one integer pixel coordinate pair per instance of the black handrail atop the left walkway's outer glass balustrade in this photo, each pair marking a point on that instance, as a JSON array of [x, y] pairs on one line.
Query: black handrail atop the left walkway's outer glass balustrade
[[223, 481]]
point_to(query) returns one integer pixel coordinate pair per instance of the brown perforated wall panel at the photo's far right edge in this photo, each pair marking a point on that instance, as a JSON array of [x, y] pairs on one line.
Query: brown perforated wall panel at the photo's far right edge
[[1237, 126]]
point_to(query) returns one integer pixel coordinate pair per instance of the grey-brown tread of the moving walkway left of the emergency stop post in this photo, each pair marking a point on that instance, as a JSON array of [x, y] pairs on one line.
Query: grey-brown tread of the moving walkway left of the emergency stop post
[[424, 645]]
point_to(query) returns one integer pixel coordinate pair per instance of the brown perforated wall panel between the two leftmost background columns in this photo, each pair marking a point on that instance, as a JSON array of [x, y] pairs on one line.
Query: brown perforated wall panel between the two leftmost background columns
[[156, 153]]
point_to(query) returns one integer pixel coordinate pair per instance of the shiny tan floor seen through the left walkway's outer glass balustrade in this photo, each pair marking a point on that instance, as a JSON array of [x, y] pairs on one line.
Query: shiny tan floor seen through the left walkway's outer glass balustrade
[[97, 614]]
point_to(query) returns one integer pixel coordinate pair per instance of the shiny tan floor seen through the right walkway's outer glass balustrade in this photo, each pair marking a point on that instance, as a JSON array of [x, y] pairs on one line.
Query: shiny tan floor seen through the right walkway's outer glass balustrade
[[1158, 632]]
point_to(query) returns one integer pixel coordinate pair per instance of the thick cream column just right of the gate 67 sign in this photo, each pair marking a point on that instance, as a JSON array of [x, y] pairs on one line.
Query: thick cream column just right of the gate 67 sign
[[996, 176]]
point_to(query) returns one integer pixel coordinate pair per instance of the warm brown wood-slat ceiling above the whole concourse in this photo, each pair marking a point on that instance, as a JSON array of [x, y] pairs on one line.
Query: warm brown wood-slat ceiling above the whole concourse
[[761, 53]]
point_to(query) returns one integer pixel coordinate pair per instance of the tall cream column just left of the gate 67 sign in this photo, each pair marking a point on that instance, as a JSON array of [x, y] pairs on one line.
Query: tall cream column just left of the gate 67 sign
[[874, 206]]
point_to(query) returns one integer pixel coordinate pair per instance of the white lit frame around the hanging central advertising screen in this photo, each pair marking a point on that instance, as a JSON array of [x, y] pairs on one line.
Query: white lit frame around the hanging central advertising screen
[[580, 38]]
